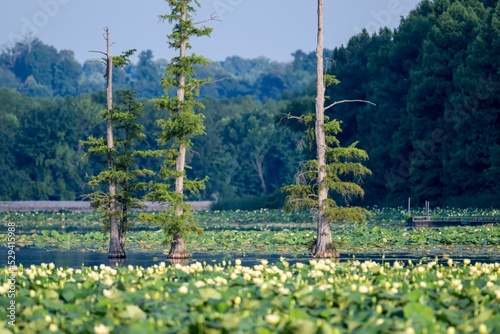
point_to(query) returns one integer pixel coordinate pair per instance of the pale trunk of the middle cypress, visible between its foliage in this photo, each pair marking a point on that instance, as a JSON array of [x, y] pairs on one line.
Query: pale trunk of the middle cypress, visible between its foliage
[[178, 248]]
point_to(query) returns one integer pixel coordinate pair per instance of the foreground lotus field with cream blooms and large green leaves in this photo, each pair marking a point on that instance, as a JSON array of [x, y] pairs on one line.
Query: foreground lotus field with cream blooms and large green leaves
[[319, 297]]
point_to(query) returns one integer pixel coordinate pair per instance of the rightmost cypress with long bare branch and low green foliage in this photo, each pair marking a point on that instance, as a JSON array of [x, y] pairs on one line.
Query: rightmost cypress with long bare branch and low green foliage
[[335, 171]]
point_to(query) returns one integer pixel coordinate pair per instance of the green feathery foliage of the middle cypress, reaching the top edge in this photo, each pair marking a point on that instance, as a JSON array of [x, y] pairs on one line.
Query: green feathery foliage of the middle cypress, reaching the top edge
[[181, 124]]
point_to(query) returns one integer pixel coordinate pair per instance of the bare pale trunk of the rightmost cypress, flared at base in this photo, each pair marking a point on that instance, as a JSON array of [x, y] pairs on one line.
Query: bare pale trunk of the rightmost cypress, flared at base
[[323, 247]]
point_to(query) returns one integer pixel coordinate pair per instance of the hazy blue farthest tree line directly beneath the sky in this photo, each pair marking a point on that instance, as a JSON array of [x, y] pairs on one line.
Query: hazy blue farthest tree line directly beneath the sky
[[39, 70]]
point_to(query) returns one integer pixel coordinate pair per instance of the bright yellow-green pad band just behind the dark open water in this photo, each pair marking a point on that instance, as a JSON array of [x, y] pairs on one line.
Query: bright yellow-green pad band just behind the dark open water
[[357, 239]]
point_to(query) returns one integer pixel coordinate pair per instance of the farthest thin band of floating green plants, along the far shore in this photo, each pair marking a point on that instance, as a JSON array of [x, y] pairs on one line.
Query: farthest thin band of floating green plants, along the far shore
[[237, 219]]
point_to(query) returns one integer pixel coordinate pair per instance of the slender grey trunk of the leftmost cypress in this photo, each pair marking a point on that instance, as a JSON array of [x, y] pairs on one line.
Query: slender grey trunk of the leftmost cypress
[[115, 248]]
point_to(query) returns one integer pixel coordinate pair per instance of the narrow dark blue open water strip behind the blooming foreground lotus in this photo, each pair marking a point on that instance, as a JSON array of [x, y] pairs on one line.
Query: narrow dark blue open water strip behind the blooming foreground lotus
[[29, 255]]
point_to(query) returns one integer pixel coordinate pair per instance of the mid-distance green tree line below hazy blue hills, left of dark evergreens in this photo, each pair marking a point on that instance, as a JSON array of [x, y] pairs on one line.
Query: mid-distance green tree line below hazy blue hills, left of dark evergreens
[[246, 151]]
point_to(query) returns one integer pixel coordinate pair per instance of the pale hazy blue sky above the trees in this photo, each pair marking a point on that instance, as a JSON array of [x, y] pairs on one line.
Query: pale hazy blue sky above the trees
[[250, 28]]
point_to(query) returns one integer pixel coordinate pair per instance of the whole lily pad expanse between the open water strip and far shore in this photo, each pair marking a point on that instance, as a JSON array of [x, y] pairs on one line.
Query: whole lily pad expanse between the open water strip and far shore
[[264, 231]]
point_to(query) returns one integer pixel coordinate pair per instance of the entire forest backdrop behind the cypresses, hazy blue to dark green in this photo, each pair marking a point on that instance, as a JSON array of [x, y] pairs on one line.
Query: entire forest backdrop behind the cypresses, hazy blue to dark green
[[433, 135]]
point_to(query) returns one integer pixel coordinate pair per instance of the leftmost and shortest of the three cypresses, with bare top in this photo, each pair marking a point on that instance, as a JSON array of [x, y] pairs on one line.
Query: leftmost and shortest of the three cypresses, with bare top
[[118, 198]]
